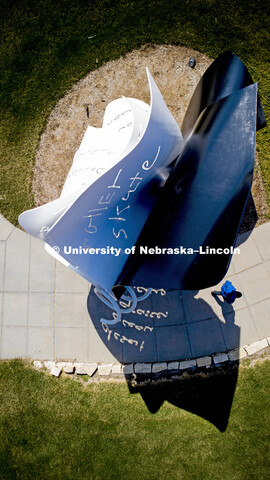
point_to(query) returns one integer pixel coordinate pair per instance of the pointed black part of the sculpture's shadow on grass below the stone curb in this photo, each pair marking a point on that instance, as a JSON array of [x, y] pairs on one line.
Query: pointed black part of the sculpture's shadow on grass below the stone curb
[[207, 393]]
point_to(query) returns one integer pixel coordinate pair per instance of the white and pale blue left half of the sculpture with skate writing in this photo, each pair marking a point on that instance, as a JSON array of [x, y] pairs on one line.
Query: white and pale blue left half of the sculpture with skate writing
[[142, 143]]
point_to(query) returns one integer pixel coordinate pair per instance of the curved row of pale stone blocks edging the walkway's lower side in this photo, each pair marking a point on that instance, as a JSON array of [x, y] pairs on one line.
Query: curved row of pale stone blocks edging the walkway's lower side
[[108, 371]]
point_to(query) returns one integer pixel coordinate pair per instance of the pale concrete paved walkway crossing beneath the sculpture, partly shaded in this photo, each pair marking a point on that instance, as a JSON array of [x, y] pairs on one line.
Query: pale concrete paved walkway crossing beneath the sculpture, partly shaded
[[44, 313]]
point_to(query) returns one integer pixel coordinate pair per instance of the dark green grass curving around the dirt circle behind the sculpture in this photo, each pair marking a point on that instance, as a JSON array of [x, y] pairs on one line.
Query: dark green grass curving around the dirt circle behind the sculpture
[[45, 48]]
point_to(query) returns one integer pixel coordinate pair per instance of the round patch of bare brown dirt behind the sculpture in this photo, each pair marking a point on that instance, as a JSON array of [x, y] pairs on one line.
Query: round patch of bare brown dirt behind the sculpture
[[126, 76]]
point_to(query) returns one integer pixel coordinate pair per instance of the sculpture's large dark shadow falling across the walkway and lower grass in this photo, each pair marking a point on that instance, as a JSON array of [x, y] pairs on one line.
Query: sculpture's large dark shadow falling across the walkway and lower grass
[[207, 392]]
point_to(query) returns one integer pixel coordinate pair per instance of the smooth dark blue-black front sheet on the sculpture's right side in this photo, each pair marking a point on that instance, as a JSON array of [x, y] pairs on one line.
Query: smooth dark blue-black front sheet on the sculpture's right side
[[202, 202]]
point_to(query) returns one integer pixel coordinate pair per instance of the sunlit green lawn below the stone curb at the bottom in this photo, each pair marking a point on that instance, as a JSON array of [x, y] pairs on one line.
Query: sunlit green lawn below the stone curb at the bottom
[[59, 429]]
